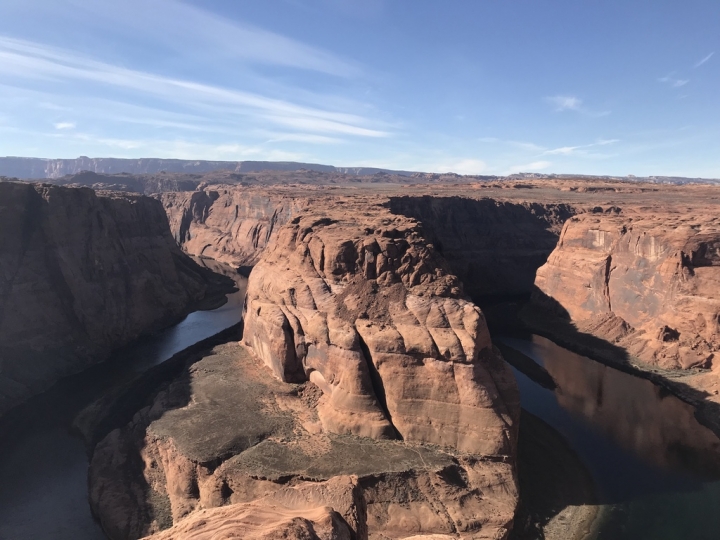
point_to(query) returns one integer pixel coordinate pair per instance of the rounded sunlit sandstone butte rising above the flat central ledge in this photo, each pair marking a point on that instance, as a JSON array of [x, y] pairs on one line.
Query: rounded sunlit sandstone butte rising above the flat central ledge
[[368, 312]]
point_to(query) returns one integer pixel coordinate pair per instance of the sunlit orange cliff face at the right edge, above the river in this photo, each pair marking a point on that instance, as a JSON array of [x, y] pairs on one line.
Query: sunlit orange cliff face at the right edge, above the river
[[648, 282]]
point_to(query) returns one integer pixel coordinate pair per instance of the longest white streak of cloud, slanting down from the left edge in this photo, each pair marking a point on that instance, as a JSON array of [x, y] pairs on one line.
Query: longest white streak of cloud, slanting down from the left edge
[[27, 60]]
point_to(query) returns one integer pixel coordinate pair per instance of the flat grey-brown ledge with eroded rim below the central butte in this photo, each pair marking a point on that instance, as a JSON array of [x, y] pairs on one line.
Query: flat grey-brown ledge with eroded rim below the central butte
[[228, 449]]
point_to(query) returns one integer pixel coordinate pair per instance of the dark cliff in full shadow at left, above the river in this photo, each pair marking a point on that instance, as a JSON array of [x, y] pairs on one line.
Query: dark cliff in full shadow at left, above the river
[[82, 274]]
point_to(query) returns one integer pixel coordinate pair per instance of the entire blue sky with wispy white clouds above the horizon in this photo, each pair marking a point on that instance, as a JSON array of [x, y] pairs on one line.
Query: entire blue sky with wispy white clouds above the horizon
[[471, 86]]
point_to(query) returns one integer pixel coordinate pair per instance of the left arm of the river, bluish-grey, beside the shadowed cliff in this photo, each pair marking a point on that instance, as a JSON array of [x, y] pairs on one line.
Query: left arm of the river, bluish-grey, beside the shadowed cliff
[[43, 468]]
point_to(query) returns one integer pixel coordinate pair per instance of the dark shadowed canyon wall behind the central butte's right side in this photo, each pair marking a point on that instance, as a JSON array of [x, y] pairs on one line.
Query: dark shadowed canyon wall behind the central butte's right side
[[494, 247]]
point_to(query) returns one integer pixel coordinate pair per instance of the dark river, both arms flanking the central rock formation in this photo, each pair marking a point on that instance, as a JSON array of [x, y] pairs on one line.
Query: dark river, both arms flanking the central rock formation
[[654, 467]]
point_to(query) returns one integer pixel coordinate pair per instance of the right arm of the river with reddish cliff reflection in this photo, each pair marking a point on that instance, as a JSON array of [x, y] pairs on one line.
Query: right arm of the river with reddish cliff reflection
[[656, 469]]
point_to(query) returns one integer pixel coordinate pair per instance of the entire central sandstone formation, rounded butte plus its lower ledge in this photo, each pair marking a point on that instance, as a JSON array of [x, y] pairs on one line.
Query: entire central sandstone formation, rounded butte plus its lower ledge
[[365, 401]]
